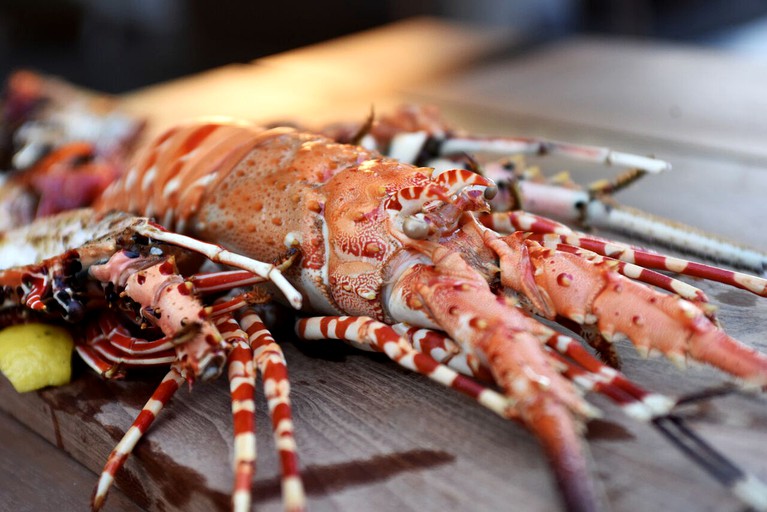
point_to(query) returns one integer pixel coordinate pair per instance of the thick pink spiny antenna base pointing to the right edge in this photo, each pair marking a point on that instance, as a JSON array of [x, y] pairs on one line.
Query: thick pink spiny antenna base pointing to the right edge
[[676, 327]]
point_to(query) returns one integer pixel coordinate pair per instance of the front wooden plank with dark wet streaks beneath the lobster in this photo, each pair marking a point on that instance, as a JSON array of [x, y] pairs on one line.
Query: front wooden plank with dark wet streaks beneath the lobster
[[374, 436]]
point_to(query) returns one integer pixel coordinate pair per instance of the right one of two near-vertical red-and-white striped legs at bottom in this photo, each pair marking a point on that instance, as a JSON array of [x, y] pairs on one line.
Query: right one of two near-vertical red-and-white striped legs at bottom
[[270, 361]]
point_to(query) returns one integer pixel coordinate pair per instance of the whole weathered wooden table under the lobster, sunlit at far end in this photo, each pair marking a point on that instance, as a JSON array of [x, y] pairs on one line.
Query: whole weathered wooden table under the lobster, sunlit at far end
[[372, 436]]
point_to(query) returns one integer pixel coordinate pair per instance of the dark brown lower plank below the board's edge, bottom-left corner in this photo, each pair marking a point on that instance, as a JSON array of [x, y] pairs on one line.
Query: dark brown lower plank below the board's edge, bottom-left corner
[[32, 467]]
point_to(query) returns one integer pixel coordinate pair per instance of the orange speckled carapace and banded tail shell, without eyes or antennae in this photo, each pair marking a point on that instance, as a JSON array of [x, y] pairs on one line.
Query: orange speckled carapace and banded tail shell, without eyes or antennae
[[257, 192]]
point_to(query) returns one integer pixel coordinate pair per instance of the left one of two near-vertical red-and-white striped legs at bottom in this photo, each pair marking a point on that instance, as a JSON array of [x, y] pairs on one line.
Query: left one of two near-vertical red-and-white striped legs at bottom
[[242, 385]]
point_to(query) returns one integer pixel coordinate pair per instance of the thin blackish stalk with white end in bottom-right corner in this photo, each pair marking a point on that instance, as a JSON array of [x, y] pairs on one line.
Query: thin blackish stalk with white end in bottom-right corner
[[744, 486]]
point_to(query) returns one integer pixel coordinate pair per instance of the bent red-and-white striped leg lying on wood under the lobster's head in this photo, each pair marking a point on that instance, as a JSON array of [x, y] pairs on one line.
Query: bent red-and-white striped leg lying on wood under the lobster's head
[[368, 334]]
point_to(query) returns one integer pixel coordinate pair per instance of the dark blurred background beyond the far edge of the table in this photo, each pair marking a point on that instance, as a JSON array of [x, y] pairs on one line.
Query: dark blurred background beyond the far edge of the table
[[119, 46]]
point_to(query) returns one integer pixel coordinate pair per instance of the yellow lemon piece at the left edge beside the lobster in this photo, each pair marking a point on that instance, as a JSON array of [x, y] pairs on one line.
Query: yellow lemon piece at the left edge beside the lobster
[[33, 356]]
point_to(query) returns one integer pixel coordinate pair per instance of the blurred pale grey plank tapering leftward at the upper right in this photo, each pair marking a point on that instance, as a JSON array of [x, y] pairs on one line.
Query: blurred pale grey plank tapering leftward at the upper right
[[647, 89]]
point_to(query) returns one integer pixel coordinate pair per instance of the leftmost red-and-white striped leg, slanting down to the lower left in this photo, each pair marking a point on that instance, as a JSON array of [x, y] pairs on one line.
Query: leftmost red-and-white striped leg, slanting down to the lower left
[[141, 424]]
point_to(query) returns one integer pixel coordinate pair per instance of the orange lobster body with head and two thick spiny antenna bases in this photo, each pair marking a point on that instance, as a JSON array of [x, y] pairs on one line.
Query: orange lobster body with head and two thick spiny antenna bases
[[382, 239]]
